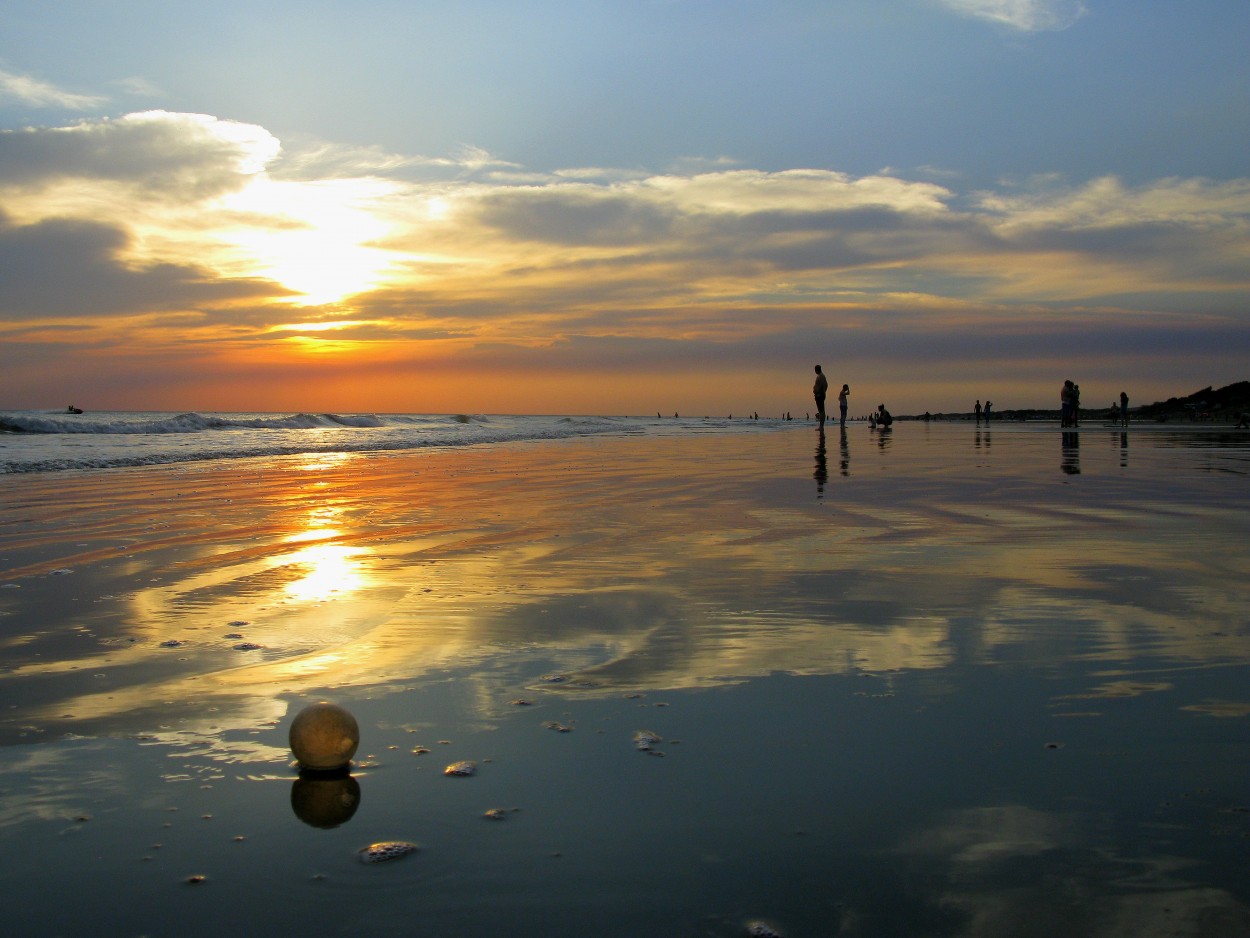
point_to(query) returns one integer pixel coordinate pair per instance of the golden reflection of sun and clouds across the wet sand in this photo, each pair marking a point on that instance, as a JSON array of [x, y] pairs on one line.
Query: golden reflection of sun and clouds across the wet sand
[[651, 575]]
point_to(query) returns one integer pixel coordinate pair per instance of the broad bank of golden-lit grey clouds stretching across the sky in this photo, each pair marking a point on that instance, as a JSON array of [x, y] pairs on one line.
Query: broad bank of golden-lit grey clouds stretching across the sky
[[158, 231]]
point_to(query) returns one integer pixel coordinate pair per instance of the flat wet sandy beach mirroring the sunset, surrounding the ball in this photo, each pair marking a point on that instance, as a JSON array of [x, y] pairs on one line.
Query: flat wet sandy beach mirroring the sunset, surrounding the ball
[[941, 681]]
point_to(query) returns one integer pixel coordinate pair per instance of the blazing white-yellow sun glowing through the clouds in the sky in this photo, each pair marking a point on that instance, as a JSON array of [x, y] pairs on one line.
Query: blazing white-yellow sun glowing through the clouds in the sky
[[317, 240]]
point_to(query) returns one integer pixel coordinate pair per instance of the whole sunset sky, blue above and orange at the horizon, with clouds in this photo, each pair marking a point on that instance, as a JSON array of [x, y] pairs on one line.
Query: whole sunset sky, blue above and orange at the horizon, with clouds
[[621, 207]]
